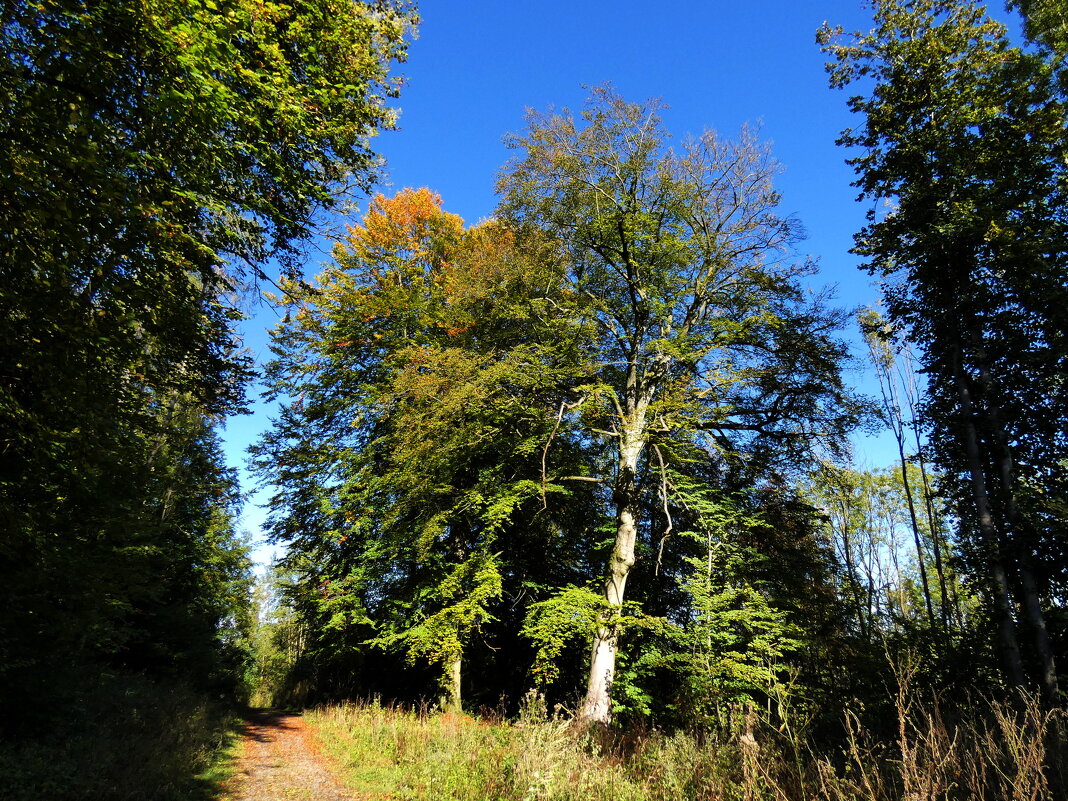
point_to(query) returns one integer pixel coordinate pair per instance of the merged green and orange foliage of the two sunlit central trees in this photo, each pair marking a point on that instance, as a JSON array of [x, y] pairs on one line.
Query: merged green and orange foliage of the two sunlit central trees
[[513, 396]]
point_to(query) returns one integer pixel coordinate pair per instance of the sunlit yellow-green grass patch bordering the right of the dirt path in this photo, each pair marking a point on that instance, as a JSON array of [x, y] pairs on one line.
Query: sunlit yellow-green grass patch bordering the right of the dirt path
[[409, 757]]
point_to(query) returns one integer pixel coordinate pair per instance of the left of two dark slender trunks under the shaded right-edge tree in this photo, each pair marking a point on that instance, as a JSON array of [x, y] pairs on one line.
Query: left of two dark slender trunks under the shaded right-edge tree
[[992, 539]]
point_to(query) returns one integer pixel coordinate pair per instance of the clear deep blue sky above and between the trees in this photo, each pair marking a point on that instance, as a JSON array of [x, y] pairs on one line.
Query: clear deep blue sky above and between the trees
[[477, 66]]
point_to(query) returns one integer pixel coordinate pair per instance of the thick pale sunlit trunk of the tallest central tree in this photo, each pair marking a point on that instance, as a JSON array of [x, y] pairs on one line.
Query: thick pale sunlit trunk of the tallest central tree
[[598, 708]]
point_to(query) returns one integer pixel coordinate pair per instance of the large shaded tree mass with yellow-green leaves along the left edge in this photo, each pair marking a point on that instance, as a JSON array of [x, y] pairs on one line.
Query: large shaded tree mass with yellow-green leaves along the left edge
[[152, 154]]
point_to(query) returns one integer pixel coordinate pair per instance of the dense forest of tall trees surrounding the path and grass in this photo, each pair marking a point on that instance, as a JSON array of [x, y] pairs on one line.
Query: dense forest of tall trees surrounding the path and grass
[[591, 456]]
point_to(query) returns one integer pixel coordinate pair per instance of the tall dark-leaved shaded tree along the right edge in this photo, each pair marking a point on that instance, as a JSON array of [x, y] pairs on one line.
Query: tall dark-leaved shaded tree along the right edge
[[964, 134]]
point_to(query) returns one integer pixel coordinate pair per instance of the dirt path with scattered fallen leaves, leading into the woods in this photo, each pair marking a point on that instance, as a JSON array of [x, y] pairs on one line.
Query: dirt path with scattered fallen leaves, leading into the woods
[[281, 762]]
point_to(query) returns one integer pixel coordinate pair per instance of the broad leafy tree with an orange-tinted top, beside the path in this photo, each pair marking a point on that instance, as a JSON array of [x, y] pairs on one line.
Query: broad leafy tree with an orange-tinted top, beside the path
[[425, 367]]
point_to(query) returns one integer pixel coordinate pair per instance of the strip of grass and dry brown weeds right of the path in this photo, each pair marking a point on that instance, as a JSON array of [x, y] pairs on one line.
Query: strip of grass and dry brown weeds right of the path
[[998, 753]]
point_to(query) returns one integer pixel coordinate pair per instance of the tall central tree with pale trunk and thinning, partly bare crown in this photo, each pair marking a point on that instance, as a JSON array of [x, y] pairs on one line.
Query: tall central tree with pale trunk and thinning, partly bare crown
[[684, 265]]
